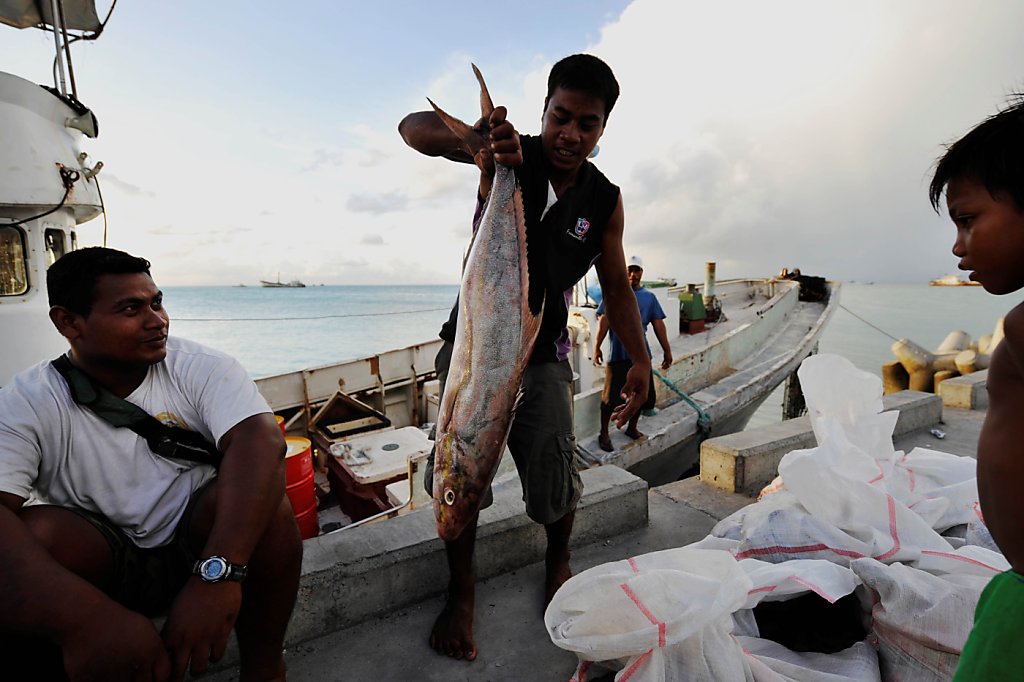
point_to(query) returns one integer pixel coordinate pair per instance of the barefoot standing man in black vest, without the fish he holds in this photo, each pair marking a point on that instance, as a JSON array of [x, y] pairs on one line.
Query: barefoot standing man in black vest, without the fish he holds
[[574, 220]]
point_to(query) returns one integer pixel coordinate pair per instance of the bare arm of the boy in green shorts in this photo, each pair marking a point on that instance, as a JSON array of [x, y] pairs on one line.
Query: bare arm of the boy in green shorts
[[1001, 447]]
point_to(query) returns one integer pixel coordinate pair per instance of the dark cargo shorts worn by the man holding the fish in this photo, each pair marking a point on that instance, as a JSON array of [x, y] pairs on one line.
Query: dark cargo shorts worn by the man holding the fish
[[541, 441]]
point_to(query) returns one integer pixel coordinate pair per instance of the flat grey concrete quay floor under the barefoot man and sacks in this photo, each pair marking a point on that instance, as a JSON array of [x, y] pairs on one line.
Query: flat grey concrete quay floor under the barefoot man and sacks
[[510, 634]]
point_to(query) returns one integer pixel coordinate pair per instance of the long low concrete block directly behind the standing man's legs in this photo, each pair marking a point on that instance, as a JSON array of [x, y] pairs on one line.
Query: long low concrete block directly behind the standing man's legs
[[352, 576]]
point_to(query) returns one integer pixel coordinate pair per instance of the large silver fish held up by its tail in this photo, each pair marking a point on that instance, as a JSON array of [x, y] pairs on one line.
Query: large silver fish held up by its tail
[[493, 344]]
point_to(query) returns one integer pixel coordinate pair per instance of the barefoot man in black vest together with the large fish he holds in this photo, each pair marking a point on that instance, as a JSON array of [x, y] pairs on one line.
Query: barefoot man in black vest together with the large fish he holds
[[538, 231]]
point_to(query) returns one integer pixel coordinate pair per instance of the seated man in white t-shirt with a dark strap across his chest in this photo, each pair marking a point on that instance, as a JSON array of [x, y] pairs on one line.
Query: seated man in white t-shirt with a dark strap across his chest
[[116, 533]]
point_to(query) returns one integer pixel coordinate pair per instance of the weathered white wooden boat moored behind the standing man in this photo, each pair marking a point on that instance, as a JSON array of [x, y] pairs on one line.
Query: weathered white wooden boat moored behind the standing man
[[729, 371]]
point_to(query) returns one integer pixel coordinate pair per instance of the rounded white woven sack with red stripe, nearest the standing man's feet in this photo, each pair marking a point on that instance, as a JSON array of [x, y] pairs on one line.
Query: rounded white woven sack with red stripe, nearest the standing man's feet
[[633, 612]]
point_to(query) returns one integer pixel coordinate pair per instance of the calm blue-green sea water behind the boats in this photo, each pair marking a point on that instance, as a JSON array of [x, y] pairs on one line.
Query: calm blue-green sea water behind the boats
[[272, 331]]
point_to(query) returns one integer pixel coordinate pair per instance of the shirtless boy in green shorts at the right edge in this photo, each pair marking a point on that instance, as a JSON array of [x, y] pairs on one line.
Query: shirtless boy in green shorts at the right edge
[[983, 176]]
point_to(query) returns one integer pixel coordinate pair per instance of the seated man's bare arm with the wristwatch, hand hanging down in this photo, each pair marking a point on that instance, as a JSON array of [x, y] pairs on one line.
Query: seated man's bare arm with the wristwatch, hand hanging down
[[250, 488]]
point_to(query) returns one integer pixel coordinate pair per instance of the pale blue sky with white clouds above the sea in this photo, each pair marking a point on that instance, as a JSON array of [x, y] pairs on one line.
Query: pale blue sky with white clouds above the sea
[[243, 142]]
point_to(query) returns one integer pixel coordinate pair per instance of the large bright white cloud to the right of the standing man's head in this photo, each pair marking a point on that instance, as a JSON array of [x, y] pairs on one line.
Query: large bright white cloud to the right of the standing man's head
[[797, 134]]
